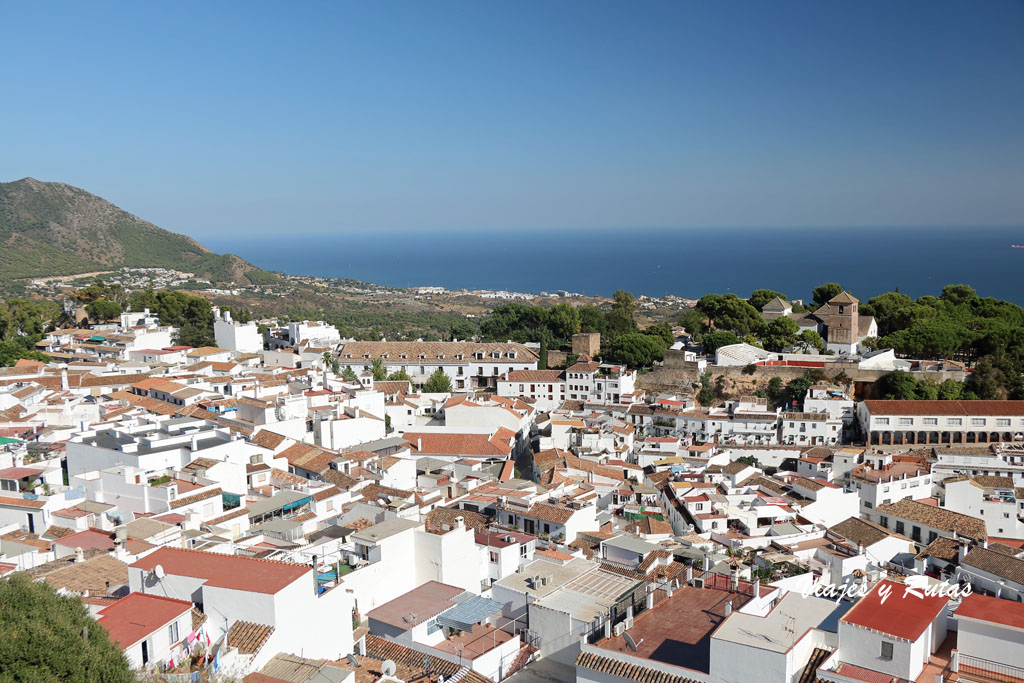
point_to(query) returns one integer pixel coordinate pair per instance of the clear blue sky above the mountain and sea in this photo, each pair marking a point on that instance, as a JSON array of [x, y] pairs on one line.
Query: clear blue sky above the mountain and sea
[[220, 118]]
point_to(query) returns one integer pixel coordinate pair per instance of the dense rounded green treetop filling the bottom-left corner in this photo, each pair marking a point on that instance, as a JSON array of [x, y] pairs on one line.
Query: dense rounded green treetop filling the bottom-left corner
[[49, 637]]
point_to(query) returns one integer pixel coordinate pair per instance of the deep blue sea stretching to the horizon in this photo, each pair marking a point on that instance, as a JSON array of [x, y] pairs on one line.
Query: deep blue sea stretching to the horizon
[[686, 263]]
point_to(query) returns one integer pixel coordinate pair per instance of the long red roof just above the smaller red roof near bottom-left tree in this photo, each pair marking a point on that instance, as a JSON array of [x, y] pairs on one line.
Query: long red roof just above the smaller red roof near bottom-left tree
[[241, 574]]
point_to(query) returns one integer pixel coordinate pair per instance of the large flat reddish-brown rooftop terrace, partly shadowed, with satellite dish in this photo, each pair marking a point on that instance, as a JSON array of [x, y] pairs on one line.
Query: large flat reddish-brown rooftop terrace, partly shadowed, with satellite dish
[[677, 631]]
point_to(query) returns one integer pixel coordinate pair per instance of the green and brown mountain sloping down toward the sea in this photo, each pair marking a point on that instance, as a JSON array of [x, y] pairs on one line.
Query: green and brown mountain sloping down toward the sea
[[51, 229]]
